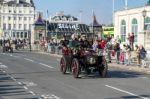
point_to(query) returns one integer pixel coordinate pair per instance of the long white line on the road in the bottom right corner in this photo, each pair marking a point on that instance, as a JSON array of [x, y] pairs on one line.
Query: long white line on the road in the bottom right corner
[[127, 92]]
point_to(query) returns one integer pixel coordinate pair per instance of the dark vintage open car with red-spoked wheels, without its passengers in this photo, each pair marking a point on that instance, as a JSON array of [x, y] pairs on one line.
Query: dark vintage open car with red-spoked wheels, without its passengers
[[78, 60]]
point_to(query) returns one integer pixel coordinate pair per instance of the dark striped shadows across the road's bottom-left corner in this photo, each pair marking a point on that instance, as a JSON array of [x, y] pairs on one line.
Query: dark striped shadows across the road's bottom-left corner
[[11, 89]]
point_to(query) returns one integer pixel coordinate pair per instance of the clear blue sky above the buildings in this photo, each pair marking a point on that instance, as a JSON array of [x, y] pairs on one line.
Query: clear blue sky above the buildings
[[101, 8]]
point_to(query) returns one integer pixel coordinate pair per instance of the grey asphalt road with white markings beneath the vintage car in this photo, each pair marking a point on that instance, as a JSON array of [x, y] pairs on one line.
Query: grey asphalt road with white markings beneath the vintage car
[[28, 75]]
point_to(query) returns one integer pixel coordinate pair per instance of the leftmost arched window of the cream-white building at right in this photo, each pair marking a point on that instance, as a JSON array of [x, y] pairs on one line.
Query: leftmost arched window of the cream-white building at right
[[123, 30]]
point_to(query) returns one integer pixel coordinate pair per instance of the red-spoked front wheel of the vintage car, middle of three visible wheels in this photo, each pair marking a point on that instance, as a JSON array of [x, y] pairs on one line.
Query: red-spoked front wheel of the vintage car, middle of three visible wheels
[[75, 68]]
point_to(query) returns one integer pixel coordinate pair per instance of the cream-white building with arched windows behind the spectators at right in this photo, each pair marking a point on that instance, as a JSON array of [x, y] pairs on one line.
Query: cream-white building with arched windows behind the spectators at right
[[132, 21]]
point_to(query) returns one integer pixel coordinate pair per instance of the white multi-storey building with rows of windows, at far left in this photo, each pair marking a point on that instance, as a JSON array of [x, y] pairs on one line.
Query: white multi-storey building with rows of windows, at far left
[[17, 18]]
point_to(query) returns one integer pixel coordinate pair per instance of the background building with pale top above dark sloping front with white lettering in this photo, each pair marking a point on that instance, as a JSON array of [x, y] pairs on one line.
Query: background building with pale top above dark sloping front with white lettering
[[61, 24]]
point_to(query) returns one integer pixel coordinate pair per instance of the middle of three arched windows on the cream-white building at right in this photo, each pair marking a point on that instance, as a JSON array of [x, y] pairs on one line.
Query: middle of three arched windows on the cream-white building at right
[[135, 28]]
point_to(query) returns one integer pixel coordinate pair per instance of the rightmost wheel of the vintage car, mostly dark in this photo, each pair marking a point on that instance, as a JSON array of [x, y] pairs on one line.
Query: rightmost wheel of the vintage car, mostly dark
[[103, 69]]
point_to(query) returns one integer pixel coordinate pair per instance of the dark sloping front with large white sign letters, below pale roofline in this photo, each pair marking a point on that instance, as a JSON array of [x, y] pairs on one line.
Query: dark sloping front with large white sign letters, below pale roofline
[[58, 30]]
